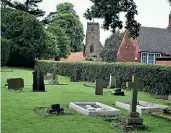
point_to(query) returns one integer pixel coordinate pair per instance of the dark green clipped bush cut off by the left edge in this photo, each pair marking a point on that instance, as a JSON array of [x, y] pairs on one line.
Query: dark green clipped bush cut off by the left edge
[[5, 51]]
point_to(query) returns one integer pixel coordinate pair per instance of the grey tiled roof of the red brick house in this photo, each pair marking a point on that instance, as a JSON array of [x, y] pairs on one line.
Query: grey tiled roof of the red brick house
[[155, 40]]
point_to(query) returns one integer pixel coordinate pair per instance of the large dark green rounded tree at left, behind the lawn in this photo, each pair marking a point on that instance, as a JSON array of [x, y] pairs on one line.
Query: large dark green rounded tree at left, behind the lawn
[[26, 34]]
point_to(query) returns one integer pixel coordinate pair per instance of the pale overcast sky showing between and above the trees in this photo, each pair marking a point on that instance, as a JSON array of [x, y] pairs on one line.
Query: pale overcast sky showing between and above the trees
[[152, 13]]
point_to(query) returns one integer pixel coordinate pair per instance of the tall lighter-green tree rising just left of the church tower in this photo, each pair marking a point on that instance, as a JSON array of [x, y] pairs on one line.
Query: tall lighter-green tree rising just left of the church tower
[[66, 18]]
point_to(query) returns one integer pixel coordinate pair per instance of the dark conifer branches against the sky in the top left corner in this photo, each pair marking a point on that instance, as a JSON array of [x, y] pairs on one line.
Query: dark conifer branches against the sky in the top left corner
[[29, 6]]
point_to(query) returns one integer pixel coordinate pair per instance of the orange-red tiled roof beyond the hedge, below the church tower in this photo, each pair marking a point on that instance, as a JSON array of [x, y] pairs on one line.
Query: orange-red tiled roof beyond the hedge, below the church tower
[[78, 56]]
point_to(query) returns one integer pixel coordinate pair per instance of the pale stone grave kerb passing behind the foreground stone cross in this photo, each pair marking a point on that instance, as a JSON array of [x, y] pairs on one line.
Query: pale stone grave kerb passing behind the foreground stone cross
[[142, 107]]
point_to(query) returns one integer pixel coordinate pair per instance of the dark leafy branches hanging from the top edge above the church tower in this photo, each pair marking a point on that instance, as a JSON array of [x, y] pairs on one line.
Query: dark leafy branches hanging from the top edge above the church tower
[[109, 11]]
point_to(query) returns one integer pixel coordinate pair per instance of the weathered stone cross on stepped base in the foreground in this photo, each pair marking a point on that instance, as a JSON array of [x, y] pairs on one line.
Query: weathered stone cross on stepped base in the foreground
[[134, 120]]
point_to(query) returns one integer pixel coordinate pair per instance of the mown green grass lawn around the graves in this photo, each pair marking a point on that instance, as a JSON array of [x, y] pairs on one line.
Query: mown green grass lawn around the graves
[[18, 115]]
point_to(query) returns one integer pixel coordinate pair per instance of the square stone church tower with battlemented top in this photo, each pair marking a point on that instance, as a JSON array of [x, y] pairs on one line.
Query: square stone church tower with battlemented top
[[93, 45]]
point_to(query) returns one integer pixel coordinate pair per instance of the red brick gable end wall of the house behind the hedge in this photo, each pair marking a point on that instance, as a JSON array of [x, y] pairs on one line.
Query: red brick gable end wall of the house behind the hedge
[[128, 50]]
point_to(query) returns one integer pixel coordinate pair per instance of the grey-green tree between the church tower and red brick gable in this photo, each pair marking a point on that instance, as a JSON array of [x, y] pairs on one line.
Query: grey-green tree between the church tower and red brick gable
[[110, 49]]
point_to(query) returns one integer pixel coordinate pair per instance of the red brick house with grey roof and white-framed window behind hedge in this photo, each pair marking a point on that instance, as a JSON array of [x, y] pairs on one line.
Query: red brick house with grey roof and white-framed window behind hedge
[[151, 44]]
